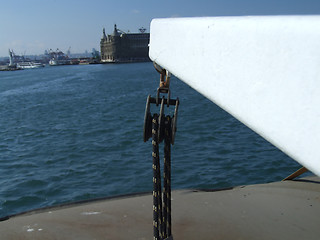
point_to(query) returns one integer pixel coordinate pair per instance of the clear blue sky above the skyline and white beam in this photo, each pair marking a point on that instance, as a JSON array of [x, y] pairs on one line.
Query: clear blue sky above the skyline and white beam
[[32, 26]]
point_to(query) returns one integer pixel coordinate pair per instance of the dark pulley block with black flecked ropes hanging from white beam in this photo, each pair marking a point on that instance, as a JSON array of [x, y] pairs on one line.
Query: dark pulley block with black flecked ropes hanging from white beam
[[161, 128]]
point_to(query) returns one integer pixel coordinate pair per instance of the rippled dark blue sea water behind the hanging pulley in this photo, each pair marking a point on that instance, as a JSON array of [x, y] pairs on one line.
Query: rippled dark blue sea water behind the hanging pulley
[[72, 133]]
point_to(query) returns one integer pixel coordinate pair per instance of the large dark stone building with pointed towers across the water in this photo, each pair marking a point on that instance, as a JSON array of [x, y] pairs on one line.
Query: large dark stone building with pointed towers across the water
[[125, 47]]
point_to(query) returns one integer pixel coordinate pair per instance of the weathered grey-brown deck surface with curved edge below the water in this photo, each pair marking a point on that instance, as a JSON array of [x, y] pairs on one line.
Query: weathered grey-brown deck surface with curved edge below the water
[[280, 210]]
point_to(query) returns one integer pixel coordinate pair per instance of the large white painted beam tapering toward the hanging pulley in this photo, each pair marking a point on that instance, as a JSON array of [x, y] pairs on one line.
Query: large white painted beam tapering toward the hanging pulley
[[265, 71]]
